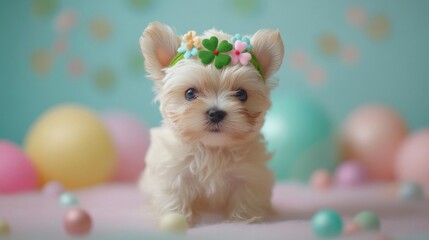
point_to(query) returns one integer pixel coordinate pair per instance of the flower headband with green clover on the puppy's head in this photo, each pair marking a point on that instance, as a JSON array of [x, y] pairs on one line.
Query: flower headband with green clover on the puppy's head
[[222, 54]]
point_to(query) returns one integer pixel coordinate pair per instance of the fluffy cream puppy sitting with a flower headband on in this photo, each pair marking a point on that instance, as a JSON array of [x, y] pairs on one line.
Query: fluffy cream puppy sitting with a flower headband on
[[209, 154]]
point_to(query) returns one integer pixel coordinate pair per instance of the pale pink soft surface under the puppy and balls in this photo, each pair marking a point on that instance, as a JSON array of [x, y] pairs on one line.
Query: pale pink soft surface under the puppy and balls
[[118, 213]]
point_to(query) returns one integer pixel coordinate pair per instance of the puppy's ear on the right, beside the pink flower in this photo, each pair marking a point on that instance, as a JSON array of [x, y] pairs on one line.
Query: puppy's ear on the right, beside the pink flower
[[268, 49]]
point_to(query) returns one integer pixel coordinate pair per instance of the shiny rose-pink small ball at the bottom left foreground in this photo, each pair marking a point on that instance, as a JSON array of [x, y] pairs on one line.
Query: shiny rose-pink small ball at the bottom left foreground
[[77, 222]]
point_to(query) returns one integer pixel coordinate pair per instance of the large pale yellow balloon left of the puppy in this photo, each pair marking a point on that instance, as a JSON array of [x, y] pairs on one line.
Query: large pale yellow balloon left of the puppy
[[70, 144]]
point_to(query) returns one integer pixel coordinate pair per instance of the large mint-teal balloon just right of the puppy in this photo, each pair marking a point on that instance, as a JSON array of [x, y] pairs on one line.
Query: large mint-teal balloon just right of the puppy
[[300, 134]]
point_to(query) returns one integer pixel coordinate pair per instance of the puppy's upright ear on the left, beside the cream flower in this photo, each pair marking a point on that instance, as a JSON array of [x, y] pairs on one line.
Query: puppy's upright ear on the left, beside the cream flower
[[159, 45]]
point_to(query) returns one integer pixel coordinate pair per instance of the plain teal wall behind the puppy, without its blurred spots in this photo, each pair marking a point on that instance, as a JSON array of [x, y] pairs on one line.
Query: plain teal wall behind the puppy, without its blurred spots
[[393, 70]]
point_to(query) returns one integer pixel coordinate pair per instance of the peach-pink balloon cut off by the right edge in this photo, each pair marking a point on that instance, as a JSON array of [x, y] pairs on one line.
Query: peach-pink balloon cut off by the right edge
[[413, 159]]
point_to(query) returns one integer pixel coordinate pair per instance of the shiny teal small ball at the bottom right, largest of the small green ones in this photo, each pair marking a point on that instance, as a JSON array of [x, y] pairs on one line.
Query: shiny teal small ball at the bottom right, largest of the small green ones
[[327, 223]]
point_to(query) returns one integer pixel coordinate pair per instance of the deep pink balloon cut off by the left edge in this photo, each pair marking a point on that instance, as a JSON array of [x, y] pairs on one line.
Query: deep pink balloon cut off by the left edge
[[17, 173]]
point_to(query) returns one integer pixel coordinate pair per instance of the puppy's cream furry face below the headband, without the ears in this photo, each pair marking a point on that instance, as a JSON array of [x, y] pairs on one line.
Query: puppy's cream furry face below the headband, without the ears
[[212, 106]]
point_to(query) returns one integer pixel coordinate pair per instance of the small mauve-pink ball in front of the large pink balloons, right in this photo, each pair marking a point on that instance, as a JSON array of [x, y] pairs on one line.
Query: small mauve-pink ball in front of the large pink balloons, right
[[350, 174]]
